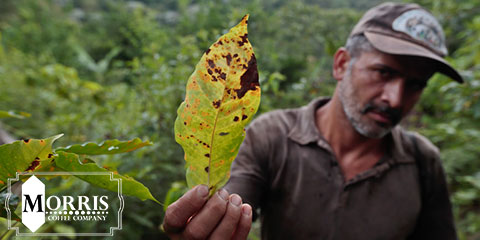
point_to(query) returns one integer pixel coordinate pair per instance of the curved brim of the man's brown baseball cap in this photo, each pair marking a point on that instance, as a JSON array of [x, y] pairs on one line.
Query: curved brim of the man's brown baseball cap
[[397, 46]]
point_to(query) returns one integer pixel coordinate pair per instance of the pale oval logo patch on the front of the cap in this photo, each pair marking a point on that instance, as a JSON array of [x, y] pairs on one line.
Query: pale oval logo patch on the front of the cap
[[422, 26]]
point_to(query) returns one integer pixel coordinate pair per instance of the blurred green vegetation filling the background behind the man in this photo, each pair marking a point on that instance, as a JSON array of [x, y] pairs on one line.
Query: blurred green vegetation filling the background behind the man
[[104, 69]]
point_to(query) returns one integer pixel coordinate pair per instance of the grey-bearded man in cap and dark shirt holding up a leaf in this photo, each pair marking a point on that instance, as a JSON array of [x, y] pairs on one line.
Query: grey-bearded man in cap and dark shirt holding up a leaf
[[340, 168]]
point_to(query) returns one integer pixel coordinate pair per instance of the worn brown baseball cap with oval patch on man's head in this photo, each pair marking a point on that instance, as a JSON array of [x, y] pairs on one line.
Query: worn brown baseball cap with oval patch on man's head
[[406, 29]]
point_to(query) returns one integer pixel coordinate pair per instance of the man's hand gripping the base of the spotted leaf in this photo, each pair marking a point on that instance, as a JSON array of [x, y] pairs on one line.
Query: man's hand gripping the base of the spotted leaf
[[194, 216]]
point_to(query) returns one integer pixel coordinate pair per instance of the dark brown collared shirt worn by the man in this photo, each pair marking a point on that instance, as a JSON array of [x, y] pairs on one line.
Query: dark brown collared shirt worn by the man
[[286, 169]]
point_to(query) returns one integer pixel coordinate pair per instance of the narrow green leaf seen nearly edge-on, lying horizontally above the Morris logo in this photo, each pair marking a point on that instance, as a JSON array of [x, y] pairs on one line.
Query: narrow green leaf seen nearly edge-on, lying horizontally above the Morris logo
[[107, 147]]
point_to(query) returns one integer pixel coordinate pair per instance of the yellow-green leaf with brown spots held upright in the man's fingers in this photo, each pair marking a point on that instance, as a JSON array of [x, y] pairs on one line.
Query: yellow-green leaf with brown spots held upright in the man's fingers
[[222, 95]]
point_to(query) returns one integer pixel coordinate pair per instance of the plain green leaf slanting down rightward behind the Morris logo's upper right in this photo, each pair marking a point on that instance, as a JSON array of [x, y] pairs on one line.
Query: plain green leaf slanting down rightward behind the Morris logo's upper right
[[70, 162]]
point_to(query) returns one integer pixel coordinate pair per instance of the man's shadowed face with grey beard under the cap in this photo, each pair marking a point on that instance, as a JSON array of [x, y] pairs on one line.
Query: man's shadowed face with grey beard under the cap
[[379, 89]]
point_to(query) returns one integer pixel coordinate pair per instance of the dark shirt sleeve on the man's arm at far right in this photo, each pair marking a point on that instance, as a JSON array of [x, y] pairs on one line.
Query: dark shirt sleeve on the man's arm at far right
[[436, 219]]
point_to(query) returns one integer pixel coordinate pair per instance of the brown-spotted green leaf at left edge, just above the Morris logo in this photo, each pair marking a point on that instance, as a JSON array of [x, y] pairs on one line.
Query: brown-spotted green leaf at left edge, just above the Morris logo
[[25, 155]]
